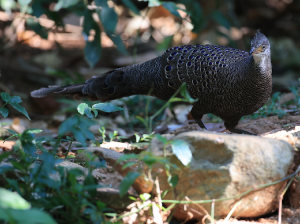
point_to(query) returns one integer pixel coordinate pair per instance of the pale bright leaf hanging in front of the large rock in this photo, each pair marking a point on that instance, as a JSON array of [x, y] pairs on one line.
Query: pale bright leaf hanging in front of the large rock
[[182, 151]]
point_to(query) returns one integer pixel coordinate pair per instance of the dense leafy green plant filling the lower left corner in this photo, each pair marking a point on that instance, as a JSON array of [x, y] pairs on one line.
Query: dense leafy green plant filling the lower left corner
[[44, 185]]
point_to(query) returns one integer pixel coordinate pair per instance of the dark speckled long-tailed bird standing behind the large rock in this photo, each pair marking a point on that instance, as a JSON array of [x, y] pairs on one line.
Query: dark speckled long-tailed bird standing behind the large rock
[[227, 82]]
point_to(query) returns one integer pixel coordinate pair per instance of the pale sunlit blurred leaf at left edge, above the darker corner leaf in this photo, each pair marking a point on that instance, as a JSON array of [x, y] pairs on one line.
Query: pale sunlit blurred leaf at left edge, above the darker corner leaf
[[12, 200]]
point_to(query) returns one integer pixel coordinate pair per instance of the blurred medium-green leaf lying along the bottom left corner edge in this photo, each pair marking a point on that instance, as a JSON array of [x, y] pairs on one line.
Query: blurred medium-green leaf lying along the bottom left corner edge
[[26, 216]]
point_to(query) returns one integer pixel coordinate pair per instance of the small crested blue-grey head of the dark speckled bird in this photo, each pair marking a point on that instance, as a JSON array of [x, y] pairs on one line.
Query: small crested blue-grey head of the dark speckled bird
[[260, 45]]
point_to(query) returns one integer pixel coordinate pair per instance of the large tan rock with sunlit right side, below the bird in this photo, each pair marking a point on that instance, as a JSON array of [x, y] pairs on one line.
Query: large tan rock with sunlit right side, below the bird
[[224, 166]]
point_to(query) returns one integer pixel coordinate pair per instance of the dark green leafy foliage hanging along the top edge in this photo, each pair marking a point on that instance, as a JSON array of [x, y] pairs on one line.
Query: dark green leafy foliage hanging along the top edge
[[107, 15]]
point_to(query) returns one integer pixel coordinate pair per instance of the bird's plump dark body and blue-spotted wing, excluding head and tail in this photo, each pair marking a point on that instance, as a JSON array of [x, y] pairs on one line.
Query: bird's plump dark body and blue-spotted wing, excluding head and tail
[[220, 77]]
